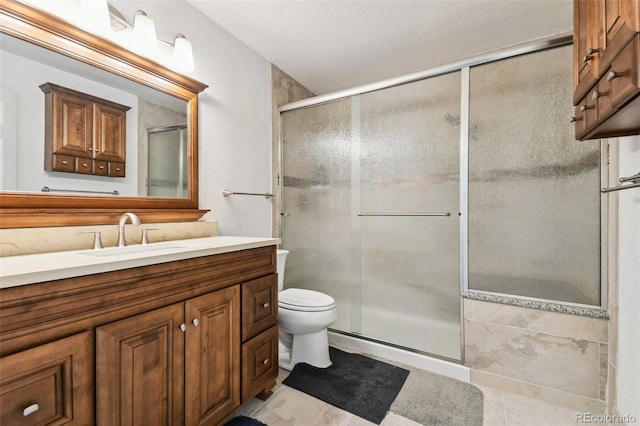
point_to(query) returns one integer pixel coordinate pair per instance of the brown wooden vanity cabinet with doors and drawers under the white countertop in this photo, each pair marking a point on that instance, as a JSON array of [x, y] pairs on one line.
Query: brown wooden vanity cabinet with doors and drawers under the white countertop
[[168, 343]]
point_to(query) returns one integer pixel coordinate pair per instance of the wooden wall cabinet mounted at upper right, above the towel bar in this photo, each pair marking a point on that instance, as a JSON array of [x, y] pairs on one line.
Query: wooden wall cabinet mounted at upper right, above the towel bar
[[606, 68]]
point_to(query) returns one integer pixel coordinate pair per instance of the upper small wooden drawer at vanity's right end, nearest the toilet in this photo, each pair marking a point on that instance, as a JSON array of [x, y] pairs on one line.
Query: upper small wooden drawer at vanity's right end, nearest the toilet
[[259, 305]]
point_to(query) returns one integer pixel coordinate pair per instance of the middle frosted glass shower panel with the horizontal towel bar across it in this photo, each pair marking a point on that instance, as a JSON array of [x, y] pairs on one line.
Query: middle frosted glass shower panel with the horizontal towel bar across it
[[410, 264]]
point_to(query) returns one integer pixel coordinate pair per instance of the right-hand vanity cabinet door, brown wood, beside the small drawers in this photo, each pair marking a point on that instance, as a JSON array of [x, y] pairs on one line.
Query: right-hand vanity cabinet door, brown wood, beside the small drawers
[[213, 356]]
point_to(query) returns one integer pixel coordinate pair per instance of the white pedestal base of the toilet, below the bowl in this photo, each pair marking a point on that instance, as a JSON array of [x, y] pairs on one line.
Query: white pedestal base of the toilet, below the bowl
[[312, 348]]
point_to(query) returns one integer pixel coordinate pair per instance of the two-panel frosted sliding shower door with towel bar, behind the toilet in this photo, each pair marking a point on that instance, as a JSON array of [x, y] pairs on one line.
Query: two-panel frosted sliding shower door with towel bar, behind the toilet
[[371, 211]]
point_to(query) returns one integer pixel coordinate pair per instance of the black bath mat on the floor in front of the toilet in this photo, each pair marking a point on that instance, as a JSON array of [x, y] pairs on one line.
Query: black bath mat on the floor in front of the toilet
[[363, 386]]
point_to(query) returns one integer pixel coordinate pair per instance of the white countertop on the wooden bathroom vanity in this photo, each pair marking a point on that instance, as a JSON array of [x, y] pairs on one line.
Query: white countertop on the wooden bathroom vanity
[[35, 268]]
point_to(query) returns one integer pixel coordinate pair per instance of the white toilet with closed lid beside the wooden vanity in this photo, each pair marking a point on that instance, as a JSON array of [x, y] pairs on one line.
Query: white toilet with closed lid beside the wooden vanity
[[303, 316]]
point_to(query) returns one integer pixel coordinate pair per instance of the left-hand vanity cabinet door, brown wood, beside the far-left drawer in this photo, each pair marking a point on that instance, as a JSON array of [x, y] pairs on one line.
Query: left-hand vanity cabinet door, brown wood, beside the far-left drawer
[[140, 369]]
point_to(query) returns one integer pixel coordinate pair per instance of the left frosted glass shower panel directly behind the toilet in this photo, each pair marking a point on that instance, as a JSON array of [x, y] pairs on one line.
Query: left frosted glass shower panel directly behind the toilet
[[316, 228]]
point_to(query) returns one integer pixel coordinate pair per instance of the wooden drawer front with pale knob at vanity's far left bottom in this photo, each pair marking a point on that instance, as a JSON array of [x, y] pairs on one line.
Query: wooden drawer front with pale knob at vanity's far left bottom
[[50, 384]]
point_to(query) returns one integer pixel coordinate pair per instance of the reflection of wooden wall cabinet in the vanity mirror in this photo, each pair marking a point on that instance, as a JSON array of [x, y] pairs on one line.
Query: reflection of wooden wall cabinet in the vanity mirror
[[83, 133]]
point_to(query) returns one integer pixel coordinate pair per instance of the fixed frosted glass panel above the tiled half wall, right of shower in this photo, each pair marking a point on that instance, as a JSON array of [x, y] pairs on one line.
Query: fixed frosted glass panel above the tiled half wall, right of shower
[[534, 199]]
